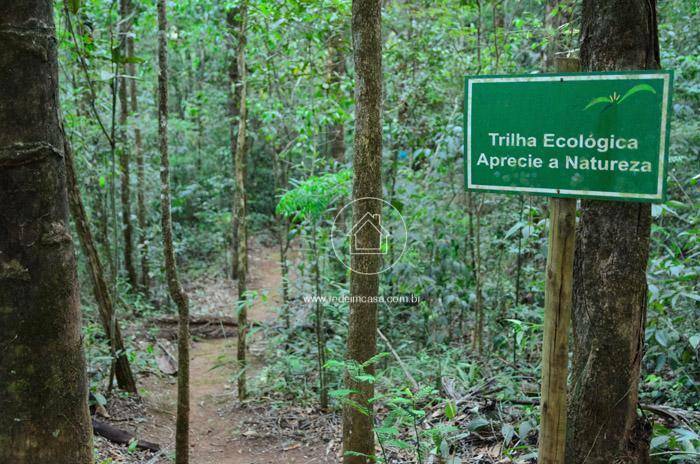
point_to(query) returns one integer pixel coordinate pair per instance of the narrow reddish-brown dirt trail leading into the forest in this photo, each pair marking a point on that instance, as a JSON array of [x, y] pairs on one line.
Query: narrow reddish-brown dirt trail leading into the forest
[[222, 430]]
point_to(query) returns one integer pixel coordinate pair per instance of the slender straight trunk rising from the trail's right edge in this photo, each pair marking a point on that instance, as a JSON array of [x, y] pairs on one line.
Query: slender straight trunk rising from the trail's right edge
[[241, 200]]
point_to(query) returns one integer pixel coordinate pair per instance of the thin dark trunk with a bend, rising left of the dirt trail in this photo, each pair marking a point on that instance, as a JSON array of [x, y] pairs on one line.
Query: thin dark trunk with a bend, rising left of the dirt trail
[[174, 287]]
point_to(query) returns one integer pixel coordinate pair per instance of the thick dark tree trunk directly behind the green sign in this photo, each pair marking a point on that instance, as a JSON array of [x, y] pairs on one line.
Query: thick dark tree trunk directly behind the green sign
[[612, 249]]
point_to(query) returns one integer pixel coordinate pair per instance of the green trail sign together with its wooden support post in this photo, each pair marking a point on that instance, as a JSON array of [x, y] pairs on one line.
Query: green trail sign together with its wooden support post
[[567, 135]]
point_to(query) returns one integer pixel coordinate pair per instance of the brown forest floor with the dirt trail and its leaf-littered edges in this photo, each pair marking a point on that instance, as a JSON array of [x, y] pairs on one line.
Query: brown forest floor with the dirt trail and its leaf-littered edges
[[222, 429]]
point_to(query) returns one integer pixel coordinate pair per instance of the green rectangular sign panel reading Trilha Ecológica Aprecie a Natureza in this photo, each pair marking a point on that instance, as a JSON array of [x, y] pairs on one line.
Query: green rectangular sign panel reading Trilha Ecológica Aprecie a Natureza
[[594, 135]]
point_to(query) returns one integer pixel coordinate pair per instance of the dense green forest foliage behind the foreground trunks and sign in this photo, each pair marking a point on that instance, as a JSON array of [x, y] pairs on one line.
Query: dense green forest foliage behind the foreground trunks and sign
[[461, 369]]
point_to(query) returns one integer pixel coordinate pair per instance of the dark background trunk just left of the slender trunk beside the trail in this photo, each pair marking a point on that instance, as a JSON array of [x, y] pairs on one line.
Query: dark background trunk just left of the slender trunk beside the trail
[[234, 24]]
